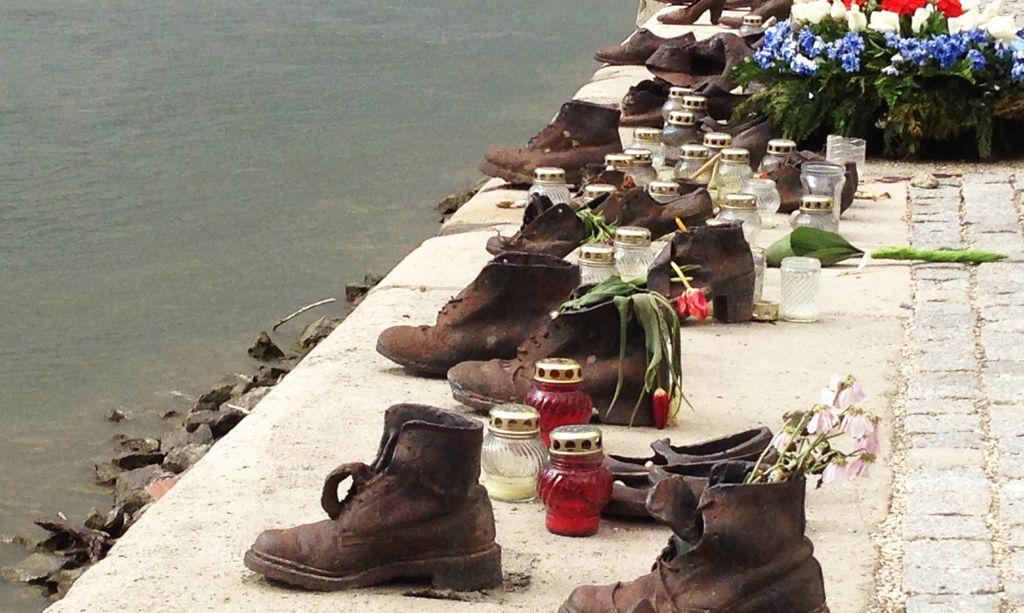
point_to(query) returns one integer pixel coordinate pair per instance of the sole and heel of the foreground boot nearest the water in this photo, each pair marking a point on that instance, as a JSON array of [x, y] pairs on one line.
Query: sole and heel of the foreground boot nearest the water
[[462, 574]]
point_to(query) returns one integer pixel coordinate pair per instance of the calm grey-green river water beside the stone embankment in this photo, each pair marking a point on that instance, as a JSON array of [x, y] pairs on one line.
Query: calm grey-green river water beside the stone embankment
[[176, 177]]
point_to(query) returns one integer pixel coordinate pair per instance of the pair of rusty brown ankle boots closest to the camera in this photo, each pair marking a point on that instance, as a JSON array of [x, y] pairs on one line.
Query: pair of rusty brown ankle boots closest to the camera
[[418, 513]]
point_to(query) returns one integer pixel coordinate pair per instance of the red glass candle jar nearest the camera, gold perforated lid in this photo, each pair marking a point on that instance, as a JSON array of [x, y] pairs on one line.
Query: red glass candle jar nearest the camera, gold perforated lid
[[575, 486]]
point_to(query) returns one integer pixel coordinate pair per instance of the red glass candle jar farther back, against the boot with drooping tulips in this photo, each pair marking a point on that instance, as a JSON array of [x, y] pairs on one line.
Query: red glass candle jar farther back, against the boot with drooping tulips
[[559, 396]]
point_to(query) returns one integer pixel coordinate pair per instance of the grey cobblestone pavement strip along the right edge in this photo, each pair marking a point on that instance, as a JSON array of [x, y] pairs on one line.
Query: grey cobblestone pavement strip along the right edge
[[957, 522]]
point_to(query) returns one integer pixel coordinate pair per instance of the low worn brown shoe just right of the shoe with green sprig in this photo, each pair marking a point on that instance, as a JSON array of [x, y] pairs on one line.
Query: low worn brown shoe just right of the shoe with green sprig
[[639, 209]]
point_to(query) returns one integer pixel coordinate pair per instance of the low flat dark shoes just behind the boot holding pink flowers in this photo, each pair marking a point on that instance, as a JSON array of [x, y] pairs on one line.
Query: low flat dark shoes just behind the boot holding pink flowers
[[636, 476]]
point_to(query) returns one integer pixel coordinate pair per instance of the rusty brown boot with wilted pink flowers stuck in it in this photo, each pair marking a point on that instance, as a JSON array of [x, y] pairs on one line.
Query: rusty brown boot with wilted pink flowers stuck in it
[[744, 550]]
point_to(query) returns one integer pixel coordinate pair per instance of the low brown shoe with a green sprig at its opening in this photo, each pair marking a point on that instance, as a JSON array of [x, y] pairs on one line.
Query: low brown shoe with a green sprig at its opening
[[547, 229]]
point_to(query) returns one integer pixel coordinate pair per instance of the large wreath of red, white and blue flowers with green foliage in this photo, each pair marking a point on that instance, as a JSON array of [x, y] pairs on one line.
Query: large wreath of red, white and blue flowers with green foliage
[[927, 76]]
